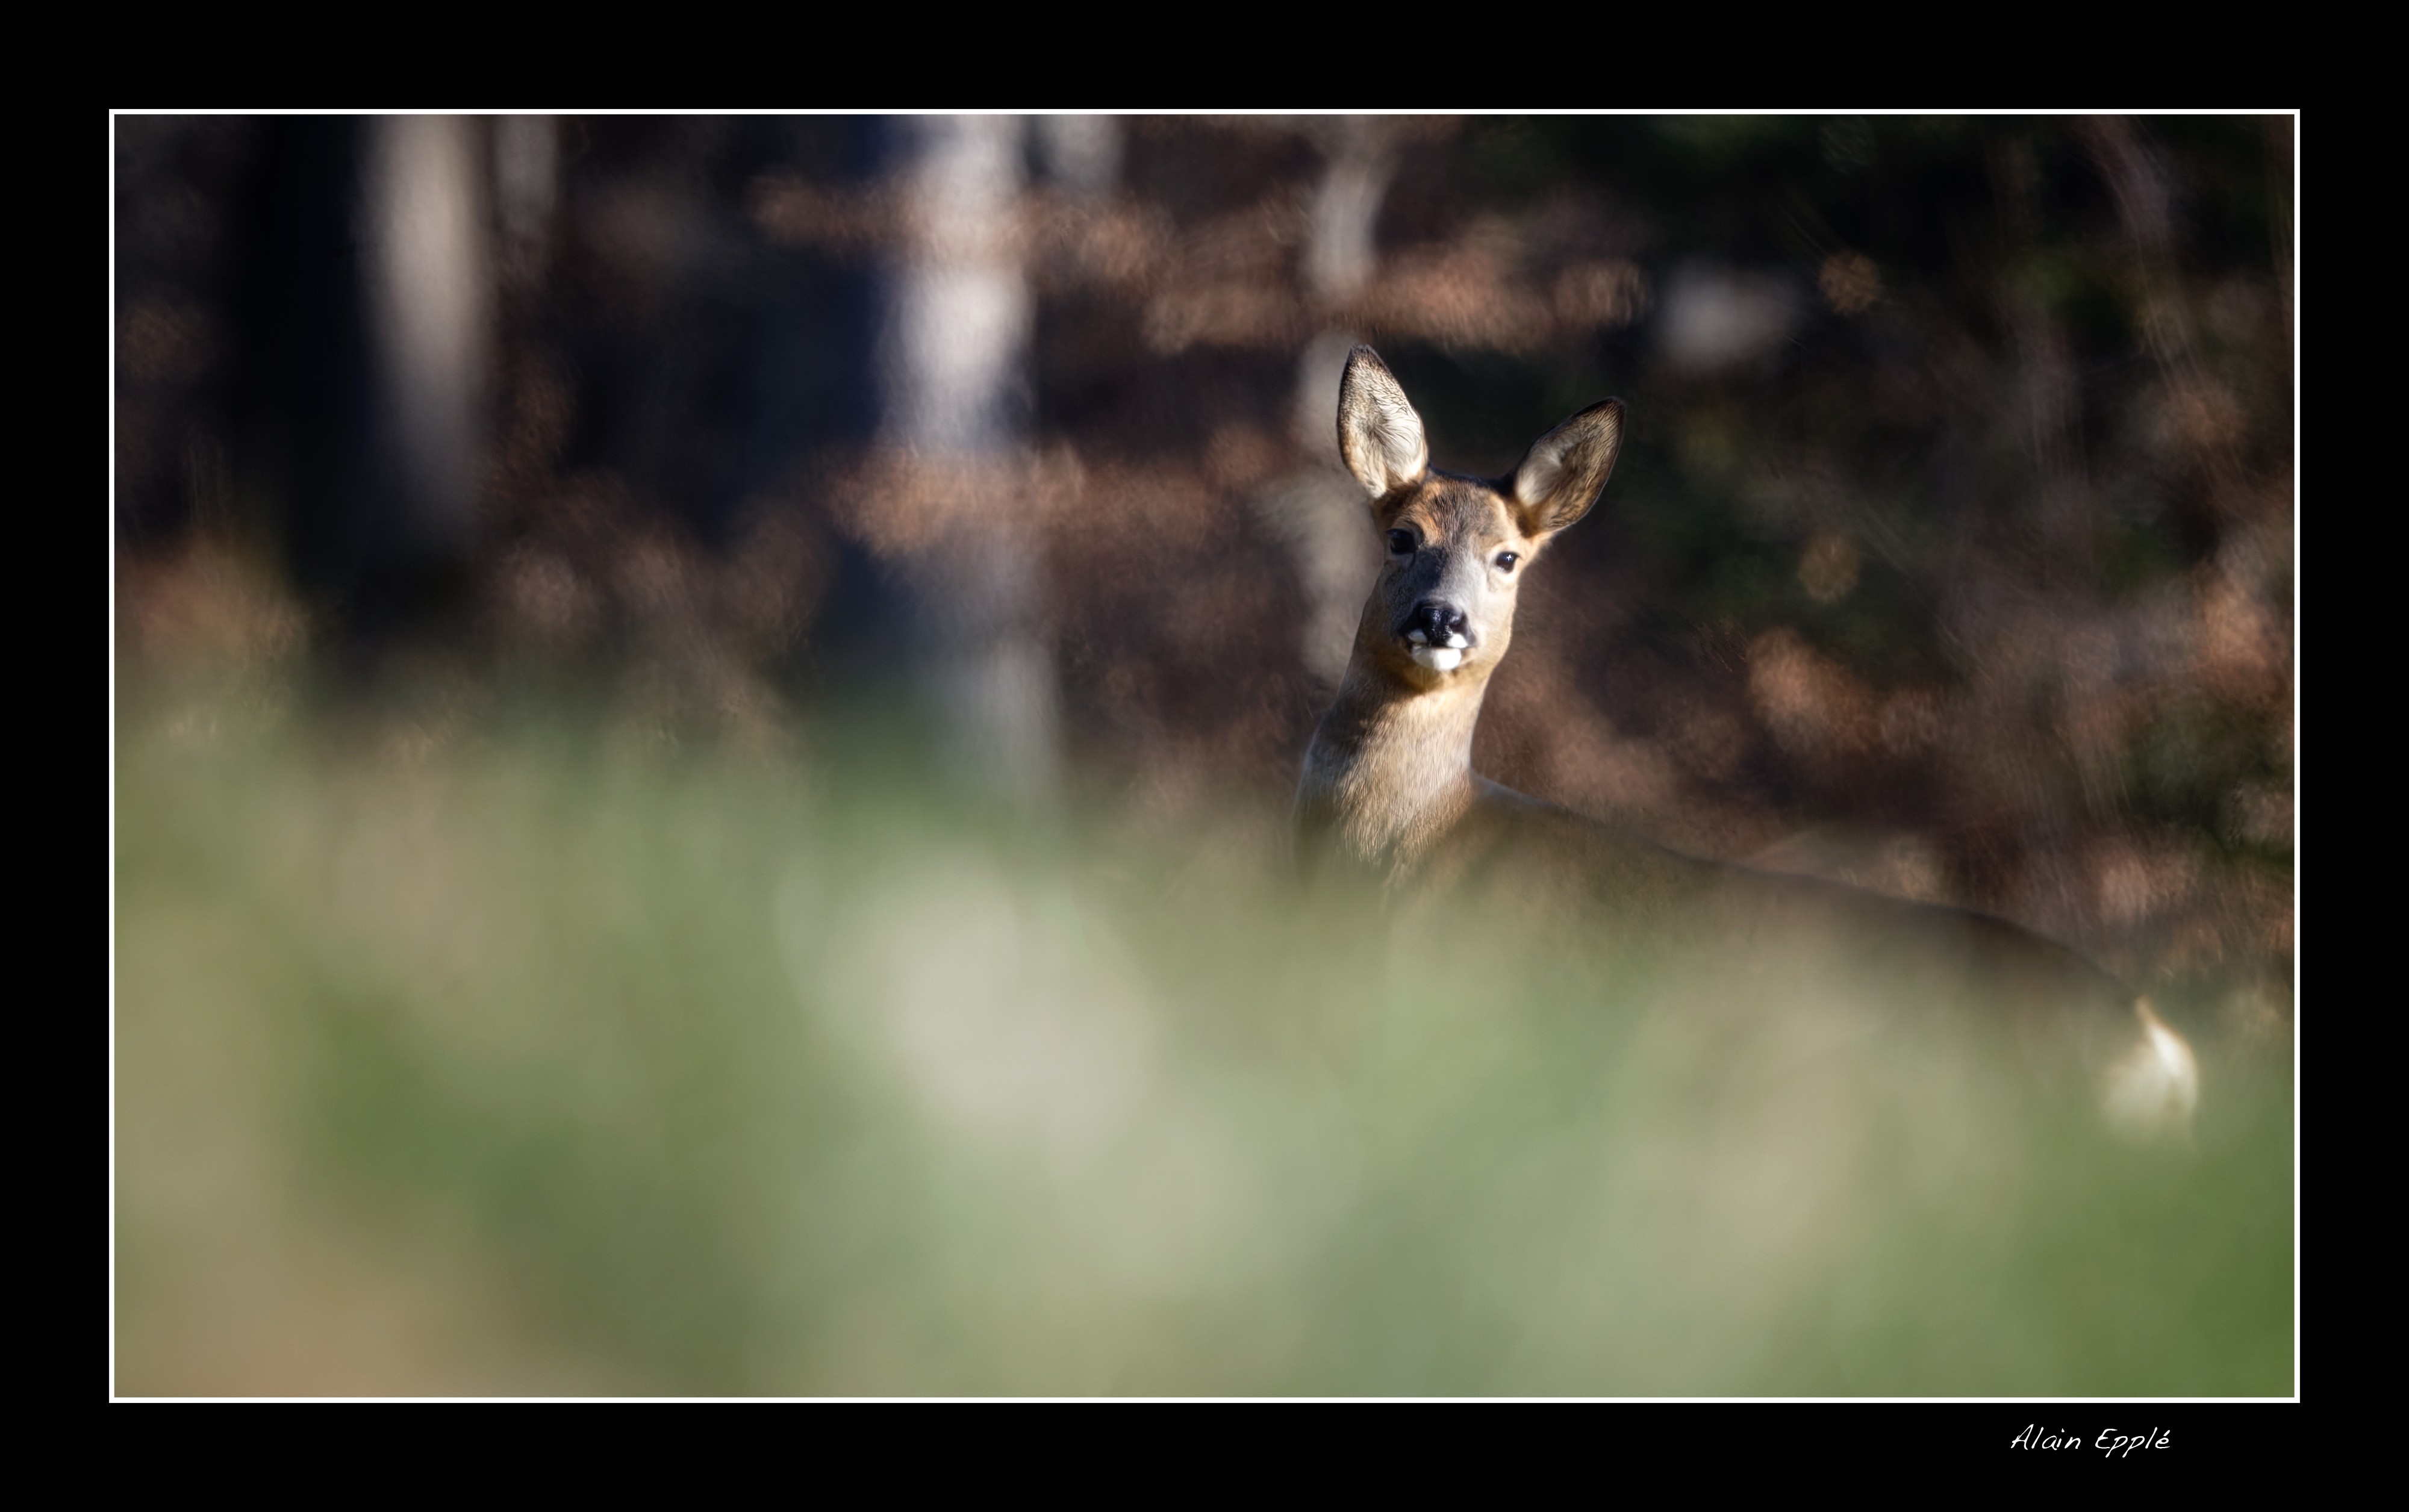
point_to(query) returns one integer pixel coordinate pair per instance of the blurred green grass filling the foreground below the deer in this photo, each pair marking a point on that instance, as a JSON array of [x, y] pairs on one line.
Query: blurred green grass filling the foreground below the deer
[[548, 1061]]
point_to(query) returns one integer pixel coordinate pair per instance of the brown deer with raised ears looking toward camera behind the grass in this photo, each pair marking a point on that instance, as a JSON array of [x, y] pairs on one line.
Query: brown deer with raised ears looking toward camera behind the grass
[[1389, 784]]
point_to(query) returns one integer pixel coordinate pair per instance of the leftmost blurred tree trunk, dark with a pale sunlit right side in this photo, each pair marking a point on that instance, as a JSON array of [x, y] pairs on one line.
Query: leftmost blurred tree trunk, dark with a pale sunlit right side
[[365, 329]]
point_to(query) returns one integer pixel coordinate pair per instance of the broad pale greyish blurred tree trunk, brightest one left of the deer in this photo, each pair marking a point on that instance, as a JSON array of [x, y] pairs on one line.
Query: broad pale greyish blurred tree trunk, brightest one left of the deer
[[955, 398]]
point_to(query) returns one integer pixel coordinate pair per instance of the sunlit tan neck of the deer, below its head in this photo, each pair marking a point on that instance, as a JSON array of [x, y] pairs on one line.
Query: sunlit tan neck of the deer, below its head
[[1391, 767]]
